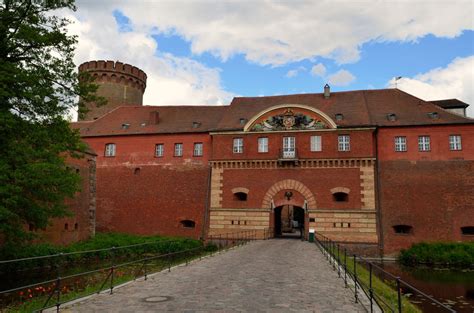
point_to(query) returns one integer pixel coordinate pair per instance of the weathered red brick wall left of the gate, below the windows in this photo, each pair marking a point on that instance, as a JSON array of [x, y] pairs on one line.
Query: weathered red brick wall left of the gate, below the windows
[[153, 200]]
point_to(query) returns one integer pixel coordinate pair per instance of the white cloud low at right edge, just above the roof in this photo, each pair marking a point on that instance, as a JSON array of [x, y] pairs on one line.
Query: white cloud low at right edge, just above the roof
[[456, 80]]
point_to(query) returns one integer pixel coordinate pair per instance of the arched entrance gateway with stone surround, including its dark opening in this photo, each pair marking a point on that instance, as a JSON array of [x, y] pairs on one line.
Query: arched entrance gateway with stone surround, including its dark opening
[[289, 201]]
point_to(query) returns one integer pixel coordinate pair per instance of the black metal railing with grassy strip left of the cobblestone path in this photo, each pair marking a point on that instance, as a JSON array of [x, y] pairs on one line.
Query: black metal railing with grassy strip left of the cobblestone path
[[64, 287]]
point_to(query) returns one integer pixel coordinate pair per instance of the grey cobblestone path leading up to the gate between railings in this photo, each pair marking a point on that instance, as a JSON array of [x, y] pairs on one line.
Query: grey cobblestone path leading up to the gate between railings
[[264, 276]]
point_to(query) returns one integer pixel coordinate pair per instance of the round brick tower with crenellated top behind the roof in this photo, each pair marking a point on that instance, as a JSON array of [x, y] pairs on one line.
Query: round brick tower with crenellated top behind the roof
[[121, 84]]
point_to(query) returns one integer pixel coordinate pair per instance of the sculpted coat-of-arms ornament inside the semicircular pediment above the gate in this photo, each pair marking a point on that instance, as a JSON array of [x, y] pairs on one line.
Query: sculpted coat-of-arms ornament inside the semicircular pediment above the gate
[[288, 120]]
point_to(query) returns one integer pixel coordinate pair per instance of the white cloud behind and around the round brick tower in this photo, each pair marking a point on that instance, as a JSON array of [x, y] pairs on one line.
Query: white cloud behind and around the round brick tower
[[171, 80]]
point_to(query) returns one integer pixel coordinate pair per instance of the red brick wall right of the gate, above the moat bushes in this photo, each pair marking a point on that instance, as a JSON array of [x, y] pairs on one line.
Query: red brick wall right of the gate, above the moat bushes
[[434, 197]]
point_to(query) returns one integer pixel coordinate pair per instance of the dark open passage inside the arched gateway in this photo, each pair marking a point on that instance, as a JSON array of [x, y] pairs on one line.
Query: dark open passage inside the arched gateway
[[289, 221]]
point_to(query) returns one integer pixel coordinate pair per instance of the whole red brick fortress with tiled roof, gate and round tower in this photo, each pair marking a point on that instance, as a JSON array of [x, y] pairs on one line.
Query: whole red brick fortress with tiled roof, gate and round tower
[[377, 168]]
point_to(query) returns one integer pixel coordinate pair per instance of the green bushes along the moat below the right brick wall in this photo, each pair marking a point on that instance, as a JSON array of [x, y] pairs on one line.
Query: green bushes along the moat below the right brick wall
[[439, 254]]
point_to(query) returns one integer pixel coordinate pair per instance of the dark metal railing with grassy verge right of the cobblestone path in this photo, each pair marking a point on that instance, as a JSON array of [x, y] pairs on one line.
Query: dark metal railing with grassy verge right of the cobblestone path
[[381, 290]]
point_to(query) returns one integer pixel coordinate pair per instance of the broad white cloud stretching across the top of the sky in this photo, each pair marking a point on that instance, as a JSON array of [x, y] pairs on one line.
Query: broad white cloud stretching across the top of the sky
[[276, 32]]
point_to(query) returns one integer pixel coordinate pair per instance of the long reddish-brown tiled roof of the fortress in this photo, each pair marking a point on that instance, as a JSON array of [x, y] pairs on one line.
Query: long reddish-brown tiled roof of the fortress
[[361, 108]]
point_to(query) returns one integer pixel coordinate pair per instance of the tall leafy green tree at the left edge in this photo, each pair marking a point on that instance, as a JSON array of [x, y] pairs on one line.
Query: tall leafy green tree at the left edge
[[38, 88]]
